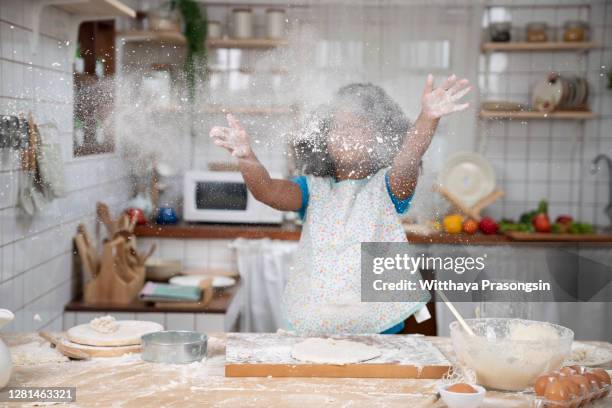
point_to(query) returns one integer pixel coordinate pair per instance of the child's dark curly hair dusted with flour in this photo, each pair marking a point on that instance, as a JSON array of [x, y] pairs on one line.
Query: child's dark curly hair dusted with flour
[[381, 114]]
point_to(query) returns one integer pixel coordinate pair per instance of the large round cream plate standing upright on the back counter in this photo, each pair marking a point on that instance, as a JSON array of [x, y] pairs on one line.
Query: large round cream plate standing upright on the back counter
[[468, 176]]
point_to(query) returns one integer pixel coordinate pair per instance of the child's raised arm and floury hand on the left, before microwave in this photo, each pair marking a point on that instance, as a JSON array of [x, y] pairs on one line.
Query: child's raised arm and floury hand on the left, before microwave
[[283, 195]]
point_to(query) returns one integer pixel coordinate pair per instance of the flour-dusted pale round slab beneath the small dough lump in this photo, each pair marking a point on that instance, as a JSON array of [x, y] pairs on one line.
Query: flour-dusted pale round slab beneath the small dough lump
[[128, 333]]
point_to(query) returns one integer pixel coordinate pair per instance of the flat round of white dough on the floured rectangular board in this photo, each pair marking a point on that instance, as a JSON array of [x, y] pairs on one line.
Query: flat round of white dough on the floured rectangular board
[[331, 351]]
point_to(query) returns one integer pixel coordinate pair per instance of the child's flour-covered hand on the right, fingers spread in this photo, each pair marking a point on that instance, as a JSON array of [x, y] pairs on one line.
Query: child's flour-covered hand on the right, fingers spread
[[443, 100]]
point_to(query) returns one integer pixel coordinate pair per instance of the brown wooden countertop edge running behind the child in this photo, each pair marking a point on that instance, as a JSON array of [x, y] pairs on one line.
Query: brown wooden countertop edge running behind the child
[[292, 233]]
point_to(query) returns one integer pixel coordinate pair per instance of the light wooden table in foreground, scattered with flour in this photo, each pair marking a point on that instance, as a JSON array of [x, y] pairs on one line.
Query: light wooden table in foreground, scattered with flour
[[129, 382]]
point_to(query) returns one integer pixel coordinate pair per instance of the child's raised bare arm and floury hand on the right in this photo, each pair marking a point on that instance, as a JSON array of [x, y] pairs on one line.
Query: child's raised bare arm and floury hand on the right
[[435, 104]]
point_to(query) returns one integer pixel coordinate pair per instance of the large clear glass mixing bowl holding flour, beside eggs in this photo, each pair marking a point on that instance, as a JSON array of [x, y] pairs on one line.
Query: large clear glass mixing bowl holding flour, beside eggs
[[509, 354]]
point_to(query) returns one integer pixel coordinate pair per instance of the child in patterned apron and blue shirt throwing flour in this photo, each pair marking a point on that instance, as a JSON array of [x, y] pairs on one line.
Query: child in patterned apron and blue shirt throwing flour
[[362, 164]]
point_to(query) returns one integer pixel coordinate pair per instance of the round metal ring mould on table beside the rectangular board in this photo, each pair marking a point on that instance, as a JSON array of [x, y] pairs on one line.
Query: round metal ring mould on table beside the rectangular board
[[174, 346]]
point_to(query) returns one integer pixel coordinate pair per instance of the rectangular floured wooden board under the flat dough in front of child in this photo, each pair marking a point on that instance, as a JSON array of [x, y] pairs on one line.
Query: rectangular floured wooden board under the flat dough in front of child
[[269, 354]]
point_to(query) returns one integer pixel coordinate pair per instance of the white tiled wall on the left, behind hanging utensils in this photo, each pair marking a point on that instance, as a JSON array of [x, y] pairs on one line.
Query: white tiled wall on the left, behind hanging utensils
[[36, 252]]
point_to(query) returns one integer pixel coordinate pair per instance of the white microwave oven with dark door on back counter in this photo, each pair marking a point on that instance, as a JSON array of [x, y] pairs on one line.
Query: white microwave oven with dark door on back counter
[[223, 197]]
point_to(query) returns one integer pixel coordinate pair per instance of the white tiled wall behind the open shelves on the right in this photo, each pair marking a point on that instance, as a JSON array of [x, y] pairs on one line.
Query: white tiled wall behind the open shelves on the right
[[539, 159]]
